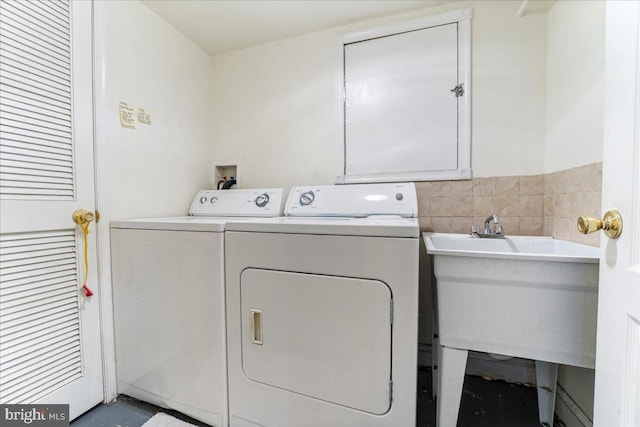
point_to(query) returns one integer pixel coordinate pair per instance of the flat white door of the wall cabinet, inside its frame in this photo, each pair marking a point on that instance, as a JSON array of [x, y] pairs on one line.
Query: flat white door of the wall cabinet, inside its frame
[[401, 115]]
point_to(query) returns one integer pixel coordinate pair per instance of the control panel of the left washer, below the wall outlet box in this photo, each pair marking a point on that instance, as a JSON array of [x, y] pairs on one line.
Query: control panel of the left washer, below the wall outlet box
[[254, 202]]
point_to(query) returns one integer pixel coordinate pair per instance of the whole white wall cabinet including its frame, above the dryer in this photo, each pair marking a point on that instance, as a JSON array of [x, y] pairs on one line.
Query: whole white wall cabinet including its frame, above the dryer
[[403, 101]]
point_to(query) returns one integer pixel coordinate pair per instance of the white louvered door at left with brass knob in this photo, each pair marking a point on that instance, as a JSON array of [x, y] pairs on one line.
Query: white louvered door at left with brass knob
[[50, 349]]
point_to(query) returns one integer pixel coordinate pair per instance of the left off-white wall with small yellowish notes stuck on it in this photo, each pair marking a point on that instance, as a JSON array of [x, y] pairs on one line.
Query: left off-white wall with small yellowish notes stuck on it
[[153, 170]]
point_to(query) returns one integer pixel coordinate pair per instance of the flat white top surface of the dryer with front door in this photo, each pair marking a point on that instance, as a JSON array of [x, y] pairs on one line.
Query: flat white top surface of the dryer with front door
[[372, 226]]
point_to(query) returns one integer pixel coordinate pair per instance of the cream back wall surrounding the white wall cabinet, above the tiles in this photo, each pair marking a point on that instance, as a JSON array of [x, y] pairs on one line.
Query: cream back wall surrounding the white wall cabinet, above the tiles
[[275, 110]]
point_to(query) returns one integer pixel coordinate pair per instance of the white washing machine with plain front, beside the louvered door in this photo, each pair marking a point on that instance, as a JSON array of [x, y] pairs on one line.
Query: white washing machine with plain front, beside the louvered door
[[169, 302]]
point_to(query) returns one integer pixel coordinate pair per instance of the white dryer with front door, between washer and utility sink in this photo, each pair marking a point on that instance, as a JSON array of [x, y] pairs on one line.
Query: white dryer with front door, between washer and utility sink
[[322, 310]]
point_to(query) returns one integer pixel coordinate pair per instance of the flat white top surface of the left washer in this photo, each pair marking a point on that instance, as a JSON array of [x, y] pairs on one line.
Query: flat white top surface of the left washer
[[182, 223]]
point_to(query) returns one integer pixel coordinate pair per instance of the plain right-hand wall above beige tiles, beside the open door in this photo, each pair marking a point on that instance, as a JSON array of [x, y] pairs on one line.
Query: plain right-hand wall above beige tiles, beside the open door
[[575, 83]]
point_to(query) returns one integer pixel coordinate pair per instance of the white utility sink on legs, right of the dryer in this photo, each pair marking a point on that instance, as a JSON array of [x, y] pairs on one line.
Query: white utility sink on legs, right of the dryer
[[529, 297]]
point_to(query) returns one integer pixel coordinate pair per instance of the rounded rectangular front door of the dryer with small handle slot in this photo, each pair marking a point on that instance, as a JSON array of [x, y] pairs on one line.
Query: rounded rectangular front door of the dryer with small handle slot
[[325, 337]]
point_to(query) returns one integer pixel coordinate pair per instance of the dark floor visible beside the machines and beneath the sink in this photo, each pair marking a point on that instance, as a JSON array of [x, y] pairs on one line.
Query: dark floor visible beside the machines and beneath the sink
[[484, 403]]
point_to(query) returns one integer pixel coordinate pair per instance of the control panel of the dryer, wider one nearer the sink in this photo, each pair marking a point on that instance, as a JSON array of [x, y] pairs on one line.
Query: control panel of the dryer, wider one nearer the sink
[[357, 200]]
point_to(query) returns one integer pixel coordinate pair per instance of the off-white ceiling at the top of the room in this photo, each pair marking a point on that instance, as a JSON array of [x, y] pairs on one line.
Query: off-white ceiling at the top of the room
[[223, 25]]
